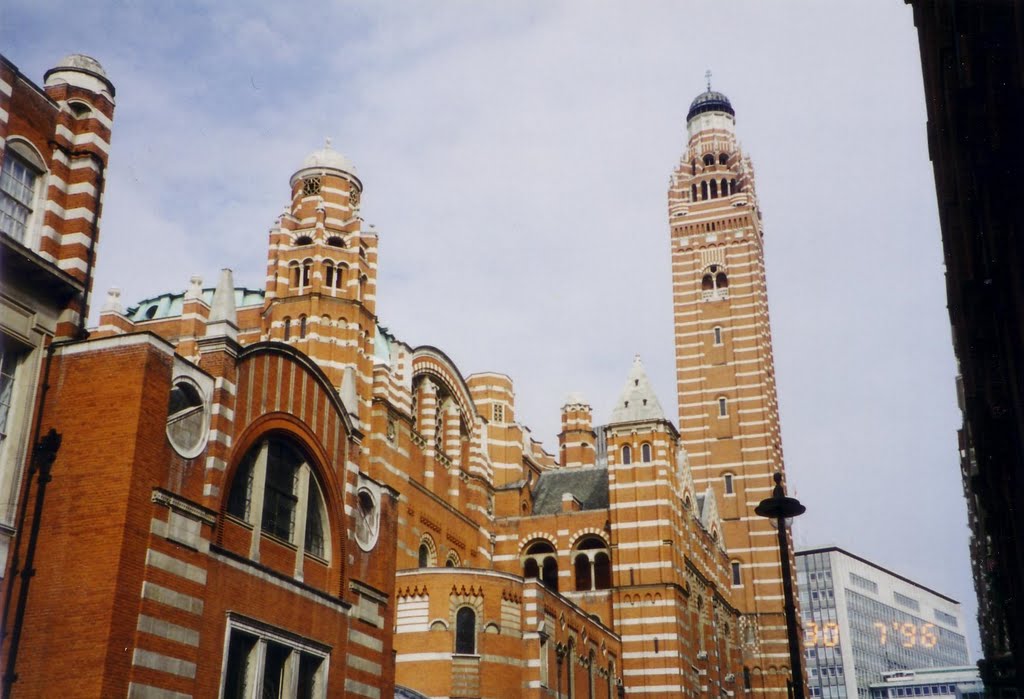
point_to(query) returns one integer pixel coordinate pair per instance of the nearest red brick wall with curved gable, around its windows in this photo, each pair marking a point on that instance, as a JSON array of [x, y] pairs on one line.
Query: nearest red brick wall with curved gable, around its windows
[[165, 572]]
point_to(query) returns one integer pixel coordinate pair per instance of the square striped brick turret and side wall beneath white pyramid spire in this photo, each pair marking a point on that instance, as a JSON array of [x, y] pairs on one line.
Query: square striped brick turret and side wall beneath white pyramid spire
[[674, 613]]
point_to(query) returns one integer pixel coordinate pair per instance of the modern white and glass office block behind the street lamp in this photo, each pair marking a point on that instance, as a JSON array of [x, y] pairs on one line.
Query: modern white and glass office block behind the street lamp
[[862, 621]]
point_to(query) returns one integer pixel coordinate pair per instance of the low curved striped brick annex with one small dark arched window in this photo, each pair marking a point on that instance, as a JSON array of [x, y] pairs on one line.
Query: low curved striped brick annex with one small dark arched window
[[528, 642]]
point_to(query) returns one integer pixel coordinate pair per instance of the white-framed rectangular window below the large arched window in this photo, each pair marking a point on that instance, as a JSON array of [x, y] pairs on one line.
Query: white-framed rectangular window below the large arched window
[[266, 634]]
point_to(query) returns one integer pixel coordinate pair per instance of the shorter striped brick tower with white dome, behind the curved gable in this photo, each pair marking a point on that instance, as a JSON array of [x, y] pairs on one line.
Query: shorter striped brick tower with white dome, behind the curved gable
[[322, 277]]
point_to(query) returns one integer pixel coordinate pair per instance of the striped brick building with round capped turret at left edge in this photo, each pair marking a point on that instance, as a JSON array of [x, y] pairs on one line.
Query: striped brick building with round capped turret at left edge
[[55, 145]]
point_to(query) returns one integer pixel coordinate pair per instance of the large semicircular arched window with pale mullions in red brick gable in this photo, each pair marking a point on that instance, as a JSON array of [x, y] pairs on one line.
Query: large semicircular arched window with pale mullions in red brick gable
[[292, 508]]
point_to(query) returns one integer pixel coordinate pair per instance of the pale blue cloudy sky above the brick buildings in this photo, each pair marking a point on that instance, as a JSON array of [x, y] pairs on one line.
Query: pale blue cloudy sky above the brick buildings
[[516, 159]]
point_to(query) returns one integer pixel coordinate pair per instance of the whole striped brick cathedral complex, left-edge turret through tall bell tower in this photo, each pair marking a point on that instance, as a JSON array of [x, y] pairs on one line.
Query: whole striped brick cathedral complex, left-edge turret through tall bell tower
[[240, 493]]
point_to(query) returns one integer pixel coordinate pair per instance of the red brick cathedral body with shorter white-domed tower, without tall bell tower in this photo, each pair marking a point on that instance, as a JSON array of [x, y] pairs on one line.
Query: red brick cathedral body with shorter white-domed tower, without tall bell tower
[[266, 490]]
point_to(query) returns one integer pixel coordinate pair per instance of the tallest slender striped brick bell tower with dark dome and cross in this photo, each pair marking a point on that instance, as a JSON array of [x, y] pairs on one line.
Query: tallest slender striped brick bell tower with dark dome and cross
[[729, 412]]
